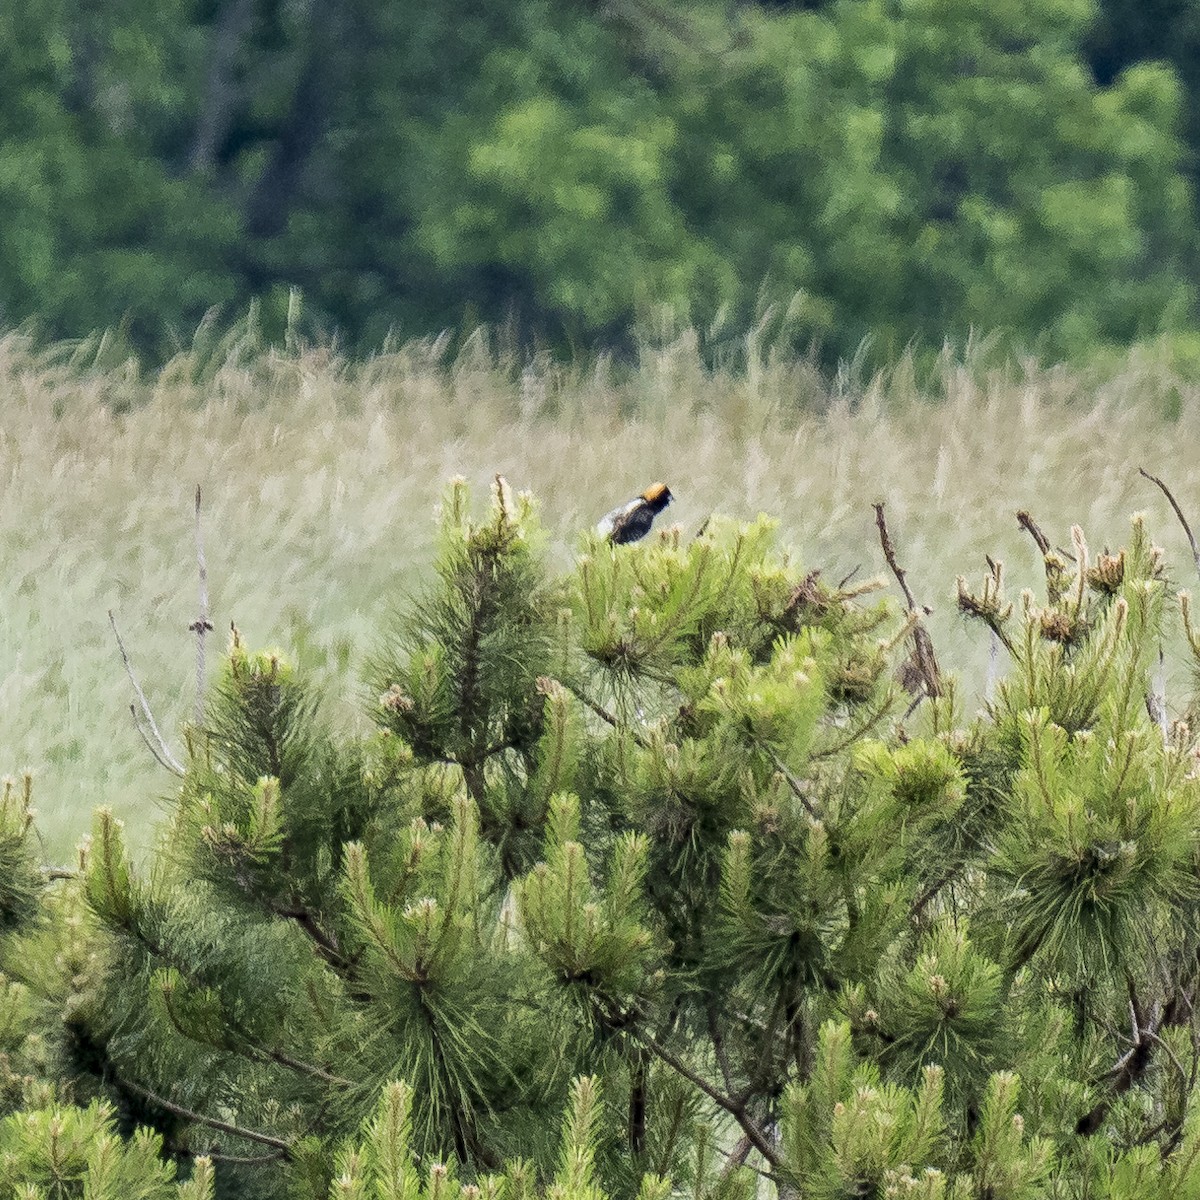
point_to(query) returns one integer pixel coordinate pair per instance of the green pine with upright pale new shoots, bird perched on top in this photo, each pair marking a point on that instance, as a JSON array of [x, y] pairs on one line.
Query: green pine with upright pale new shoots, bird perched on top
[[668, 829]]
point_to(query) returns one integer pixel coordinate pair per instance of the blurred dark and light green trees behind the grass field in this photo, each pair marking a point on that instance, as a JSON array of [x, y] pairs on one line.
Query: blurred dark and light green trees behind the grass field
[[896, 169]]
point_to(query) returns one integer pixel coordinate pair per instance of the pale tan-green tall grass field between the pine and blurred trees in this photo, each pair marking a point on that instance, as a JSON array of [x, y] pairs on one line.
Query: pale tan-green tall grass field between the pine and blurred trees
[[321, 481]]
